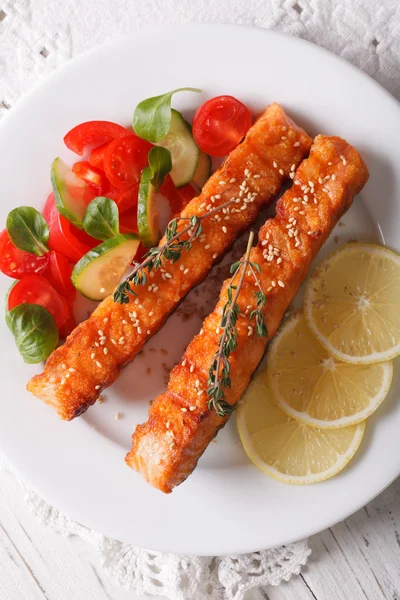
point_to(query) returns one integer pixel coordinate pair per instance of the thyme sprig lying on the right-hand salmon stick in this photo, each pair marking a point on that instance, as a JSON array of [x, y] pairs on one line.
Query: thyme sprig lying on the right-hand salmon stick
[[219, 372]]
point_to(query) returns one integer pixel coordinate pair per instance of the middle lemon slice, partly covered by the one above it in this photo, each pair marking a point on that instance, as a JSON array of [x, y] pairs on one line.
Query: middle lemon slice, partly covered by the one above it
[[316, 389]]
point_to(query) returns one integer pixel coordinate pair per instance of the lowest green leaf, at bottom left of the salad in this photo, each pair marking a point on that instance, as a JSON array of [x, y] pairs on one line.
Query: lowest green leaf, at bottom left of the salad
[[34, 330]]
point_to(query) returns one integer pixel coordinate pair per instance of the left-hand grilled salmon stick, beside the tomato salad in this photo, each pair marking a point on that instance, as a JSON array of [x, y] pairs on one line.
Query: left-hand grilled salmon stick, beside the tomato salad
[[98, 348]]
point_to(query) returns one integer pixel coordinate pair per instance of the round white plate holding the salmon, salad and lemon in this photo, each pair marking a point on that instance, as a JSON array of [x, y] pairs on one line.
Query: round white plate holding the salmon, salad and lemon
[[227, 505]]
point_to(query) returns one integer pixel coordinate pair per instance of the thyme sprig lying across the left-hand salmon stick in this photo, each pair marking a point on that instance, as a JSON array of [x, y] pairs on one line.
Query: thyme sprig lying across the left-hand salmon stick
[[177, 240]]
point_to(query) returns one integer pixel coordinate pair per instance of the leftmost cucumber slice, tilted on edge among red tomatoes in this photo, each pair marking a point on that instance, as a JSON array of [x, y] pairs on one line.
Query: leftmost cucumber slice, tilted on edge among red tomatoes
[[69, 192]]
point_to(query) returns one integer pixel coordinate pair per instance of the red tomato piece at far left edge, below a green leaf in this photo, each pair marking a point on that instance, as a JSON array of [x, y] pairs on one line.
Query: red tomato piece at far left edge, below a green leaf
[[15, 262]]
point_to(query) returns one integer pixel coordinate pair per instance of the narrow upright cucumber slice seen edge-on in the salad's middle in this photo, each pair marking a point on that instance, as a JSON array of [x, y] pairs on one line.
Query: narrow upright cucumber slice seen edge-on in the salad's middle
[[148, 223]]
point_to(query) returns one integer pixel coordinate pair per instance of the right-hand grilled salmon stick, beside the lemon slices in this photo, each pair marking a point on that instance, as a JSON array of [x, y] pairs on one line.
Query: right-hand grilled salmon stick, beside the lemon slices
[[167, 447]]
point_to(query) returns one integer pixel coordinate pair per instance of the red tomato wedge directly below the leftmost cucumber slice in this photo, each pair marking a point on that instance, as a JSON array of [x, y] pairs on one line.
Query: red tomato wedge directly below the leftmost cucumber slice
[[73, 243]]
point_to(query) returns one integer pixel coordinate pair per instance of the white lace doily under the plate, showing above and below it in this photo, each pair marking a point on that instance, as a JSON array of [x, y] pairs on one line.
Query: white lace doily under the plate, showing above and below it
[[36, 36]]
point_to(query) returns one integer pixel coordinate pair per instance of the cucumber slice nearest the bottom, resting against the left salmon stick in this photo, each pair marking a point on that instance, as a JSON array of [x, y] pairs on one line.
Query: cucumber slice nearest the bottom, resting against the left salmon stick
[[101, 269]]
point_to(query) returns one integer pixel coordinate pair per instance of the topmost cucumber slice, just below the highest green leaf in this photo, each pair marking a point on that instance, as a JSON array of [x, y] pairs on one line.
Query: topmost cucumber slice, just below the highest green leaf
[[185, 152]]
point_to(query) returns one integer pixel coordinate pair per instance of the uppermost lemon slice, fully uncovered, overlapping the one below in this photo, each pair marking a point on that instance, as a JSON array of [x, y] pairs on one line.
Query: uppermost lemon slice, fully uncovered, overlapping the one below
[[352, 304]]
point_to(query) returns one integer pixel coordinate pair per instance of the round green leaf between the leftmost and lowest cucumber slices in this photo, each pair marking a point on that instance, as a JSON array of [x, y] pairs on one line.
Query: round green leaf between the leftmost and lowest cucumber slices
[[101, 219]]
